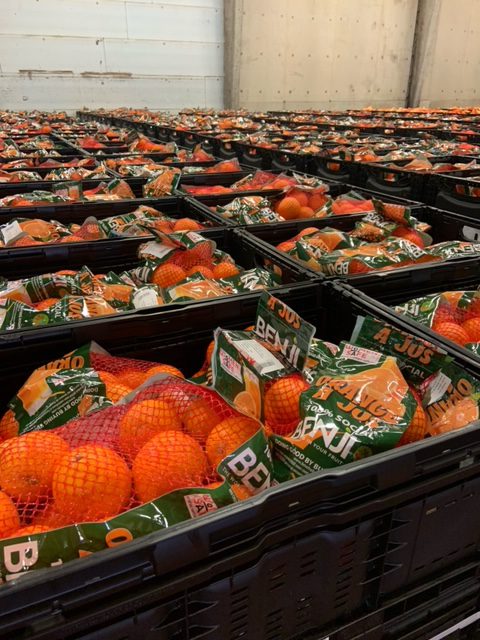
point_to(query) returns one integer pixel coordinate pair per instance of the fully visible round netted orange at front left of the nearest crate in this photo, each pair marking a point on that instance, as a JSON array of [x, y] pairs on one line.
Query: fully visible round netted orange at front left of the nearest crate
[[91, 482]]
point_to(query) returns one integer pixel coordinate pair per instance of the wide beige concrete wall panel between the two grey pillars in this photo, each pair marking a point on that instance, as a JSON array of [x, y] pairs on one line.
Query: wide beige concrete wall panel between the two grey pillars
[[324, 53]]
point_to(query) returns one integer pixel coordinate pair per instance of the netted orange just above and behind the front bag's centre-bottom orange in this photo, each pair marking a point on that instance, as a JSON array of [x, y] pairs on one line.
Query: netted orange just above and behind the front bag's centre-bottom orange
[[144, 420]]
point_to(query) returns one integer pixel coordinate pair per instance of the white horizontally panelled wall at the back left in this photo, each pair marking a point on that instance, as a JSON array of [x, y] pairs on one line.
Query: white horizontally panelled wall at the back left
[[65, 54]]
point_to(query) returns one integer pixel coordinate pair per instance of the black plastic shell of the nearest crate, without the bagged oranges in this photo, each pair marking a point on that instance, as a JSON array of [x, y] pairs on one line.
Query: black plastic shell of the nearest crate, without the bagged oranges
[[295, 562]]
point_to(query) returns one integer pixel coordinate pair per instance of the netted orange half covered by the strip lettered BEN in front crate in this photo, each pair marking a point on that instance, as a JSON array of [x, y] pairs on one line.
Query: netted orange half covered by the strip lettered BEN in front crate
[[229, 435]]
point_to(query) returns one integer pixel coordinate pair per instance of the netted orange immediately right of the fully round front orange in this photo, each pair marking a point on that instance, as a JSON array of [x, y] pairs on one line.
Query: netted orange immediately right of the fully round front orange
[[170, 460]]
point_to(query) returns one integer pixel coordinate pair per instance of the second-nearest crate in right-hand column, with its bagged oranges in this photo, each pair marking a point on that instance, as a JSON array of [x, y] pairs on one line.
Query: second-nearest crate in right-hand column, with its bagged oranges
[[377, 245]]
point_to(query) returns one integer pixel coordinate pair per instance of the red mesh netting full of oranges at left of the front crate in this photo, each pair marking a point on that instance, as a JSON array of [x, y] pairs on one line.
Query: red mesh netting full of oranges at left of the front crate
[[170, 435]]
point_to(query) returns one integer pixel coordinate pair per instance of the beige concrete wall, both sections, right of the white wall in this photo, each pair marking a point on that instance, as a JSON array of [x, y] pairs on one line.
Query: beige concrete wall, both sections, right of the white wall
[[330, 54]]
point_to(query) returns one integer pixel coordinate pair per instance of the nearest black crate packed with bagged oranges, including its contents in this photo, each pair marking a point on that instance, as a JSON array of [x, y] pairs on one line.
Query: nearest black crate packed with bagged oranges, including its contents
[[365, 541]]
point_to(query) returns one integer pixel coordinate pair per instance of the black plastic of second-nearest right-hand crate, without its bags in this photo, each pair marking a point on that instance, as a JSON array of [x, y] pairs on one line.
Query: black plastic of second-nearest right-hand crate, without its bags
[[444, 226]]
